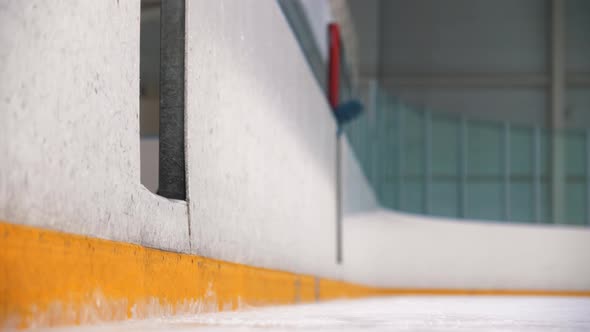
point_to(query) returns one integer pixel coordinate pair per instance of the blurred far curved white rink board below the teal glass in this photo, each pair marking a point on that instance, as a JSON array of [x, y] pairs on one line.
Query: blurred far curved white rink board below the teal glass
[[413, 251]]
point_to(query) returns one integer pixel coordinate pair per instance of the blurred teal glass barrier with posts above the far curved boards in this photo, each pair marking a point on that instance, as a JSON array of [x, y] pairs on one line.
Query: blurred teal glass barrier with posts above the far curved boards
[[434, 163]]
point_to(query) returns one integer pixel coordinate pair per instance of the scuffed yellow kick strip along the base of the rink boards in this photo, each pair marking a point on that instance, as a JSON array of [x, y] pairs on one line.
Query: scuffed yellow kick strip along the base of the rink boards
[[50, 278]]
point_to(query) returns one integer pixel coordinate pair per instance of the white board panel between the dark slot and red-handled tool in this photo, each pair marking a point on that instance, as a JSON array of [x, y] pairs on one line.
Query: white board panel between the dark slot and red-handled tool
[[261, 141]]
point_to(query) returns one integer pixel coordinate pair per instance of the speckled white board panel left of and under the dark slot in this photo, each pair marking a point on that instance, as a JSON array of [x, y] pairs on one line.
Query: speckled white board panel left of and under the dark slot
[[69, 124]]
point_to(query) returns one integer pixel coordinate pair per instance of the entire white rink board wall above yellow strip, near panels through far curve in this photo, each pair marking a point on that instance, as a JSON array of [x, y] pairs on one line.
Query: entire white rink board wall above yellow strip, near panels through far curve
[[260, 148]]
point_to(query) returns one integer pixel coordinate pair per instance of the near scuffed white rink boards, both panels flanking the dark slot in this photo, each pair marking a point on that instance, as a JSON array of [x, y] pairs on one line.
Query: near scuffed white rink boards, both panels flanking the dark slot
[[260, 135]]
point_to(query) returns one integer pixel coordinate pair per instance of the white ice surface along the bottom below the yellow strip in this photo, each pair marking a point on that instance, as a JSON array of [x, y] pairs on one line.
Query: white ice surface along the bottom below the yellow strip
[[405, 313]]
